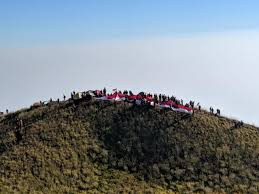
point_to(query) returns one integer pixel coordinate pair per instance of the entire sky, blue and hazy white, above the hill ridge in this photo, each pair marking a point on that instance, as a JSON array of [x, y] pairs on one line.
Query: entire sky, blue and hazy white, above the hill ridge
[[206, 51]]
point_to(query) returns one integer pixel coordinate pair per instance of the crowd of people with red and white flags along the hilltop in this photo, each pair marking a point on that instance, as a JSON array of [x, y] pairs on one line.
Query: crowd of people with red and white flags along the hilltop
[[142, 98]]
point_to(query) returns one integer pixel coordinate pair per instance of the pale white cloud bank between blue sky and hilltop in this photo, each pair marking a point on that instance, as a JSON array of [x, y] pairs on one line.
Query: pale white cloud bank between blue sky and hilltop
[[215, 69]]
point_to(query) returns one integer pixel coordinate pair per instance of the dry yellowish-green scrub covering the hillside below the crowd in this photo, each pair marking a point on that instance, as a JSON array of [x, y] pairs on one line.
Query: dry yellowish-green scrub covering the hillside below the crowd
[[101, 147]]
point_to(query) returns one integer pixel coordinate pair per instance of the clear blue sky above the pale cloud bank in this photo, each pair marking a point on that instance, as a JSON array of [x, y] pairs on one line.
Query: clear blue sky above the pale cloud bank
[[42, 22]]
